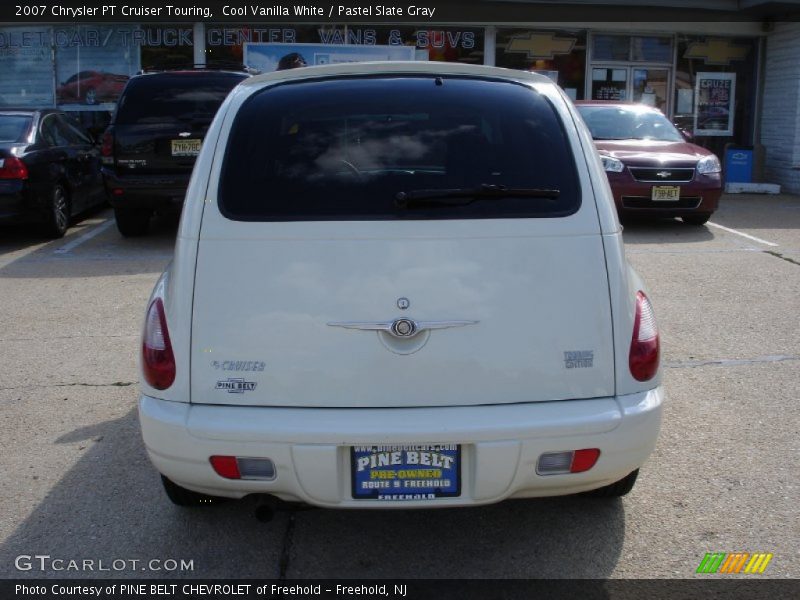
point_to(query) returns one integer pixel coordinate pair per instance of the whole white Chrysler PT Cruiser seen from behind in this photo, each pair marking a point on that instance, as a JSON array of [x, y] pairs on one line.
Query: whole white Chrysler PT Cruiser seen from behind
[[399, 285]]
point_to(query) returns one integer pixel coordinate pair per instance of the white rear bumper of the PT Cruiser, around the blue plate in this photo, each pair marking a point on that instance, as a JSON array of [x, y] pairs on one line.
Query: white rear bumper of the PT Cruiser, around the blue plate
[[310, 447]]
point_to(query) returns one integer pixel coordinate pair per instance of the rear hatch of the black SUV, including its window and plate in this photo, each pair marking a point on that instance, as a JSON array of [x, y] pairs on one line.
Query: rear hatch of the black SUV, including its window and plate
[[162, 119]]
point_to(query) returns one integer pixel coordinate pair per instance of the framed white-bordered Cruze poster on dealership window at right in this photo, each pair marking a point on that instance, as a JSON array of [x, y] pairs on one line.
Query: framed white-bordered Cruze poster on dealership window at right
[[714, 103]]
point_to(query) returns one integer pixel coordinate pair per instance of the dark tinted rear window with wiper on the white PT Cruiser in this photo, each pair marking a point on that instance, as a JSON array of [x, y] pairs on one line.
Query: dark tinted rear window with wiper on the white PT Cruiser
[[397, 148]]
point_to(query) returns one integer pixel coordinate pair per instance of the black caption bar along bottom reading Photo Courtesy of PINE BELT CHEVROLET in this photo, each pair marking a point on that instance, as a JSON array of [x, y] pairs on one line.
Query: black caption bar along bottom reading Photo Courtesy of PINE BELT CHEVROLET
[[734, 588]]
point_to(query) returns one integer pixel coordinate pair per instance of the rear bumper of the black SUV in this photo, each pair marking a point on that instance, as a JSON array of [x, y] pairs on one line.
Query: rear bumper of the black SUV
[[145, 191]]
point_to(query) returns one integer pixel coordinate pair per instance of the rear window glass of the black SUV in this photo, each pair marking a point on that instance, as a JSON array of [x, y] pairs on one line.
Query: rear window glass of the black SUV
[[156, 99]]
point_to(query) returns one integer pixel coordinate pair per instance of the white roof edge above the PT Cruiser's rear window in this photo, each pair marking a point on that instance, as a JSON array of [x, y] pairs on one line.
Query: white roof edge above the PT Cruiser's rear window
[[396, 68]]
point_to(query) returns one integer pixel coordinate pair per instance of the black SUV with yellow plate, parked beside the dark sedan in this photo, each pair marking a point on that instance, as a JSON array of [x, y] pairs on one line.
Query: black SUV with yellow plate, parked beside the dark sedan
[[154, 138]]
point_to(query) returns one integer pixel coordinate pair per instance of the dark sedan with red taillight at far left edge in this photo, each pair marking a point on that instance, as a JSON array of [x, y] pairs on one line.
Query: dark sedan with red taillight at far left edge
[[49, 169]]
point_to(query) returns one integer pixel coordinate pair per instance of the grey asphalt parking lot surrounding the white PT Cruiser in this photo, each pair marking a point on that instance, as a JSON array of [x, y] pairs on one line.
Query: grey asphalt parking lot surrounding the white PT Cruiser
[[76, 483]]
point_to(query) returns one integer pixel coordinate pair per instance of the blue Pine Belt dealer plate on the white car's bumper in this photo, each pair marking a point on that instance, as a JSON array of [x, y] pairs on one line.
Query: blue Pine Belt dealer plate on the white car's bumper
[[398, 473]]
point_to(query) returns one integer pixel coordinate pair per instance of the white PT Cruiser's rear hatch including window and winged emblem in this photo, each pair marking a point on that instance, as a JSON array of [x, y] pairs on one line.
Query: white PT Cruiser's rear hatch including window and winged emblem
[[323, 234]]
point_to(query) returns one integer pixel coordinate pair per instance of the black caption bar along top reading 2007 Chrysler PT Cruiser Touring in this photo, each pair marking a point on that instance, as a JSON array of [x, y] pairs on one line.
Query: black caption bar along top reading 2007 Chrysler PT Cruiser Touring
[[388, 11]]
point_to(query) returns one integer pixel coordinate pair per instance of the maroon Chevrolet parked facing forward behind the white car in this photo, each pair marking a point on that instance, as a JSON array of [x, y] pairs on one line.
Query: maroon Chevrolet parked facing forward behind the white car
[[652, 169]]
